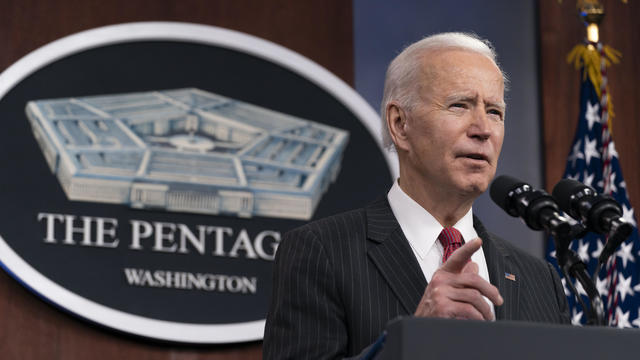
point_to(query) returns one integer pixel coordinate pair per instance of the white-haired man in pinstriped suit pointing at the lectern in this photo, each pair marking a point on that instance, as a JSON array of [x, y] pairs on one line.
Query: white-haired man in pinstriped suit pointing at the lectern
[[338, 281]]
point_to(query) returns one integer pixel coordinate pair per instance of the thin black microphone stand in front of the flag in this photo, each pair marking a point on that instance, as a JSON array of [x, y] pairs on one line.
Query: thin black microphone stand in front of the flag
[[573, 266]]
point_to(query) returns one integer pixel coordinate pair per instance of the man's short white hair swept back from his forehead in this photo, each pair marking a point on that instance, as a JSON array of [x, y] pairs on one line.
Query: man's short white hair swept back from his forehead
[[400, 83]]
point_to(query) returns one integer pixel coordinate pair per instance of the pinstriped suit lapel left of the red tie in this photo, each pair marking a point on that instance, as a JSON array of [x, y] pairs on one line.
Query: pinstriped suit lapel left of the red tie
[[390, 252]]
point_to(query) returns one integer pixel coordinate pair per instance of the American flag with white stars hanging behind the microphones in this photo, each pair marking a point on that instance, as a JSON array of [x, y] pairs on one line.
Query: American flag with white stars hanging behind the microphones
[[592, 155]]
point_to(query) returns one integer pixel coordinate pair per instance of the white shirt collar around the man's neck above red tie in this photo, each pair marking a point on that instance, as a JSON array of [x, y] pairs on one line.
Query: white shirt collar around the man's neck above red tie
[[418, 225]]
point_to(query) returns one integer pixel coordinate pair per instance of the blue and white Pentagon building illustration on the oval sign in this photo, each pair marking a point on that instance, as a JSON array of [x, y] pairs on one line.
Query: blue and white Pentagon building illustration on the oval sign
[[187, 150]]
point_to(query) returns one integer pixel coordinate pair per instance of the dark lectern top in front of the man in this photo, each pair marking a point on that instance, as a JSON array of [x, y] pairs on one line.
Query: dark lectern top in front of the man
[[417, 338]]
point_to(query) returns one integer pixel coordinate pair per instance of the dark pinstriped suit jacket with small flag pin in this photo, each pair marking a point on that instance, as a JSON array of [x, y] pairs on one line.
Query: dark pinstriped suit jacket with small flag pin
[[338, 281]]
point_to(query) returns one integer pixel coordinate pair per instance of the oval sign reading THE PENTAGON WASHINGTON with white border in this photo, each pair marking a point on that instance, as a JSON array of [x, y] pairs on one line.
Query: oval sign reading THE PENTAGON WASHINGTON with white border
[[151, 169]]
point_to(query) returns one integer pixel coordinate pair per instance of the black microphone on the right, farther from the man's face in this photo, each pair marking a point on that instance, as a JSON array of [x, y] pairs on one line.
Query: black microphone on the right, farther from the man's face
[[599, 213]]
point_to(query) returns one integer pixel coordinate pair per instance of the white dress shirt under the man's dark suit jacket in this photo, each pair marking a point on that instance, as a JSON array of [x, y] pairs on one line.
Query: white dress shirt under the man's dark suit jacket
[[422, 230]]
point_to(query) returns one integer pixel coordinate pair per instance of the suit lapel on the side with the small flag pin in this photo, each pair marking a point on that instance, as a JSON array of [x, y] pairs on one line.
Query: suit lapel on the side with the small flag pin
[[504, 273]]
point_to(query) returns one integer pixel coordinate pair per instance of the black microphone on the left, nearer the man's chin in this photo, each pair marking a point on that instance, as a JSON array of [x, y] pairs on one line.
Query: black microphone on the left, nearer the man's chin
[[536, 207]]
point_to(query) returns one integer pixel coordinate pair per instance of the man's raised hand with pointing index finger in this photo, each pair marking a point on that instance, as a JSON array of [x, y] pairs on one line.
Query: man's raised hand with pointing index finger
[[456, 290]]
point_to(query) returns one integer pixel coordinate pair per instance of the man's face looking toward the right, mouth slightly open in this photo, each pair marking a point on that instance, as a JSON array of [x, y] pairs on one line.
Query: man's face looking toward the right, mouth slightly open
[[454, 134]]
